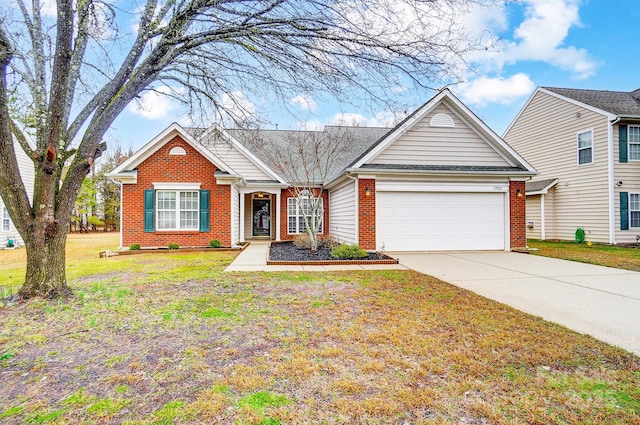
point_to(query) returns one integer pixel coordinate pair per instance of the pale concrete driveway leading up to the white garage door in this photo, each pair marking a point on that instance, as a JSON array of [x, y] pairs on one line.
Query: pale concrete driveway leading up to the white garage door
[[599, 301]]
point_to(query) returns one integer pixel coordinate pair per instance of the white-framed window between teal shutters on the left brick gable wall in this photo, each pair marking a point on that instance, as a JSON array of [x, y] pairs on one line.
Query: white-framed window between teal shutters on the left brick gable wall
[[177, 210]]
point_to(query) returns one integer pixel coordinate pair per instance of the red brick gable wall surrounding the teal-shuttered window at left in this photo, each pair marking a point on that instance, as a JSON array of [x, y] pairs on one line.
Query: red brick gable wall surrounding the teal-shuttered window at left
[[164, 168]]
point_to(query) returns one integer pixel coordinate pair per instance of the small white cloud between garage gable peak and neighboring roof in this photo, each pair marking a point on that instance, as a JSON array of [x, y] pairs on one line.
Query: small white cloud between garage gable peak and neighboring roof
[[484, 90]]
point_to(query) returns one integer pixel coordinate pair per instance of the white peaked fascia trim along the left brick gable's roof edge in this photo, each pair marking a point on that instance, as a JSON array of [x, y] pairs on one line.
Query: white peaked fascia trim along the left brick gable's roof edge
[[160, 140]]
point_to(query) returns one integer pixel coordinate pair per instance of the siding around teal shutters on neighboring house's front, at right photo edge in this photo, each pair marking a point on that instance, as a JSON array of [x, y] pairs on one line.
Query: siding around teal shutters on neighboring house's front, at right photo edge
[[629, 174]]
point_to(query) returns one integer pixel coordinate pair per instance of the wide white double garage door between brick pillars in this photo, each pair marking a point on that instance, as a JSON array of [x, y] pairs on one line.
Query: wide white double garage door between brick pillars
[[430, 221]]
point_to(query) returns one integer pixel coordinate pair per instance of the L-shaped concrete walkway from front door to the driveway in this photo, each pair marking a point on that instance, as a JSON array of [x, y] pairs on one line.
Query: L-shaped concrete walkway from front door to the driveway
[[254, 258]]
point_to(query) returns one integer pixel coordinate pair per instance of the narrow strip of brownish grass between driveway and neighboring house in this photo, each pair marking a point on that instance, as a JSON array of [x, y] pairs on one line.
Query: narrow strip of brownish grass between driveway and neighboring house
[[600, 254]]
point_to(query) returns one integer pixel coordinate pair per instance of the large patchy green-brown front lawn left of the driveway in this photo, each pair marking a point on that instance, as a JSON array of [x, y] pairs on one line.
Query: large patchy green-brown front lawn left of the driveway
[[154, 339]]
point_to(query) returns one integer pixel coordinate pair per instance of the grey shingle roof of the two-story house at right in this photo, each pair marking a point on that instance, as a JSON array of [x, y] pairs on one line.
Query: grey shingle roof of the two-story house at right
[[615, 102]]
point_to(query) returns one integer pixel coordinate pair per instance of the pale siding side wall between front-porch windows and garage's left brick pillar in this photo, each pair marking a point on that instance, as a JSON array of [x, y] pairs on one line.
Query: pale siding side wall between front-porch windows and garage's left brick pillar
[[342, 213]]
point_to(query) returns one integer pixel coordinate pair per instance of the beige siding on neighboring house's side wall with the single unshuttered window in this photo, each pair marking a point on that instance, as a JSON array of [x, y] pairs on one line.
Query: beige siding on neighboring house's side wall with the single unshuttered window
[[545, 134]]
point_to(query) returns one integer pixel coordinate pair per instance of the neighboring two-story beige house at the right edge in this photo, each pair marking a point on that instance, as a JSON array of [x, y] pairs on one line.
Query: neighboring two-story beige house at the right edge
[[585, 145]]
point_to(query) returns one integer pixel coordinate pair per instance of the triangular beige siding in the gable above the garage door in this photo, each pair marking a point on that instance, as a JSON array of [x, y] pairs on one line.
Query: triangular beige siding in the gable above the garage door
[[423, 144]]
